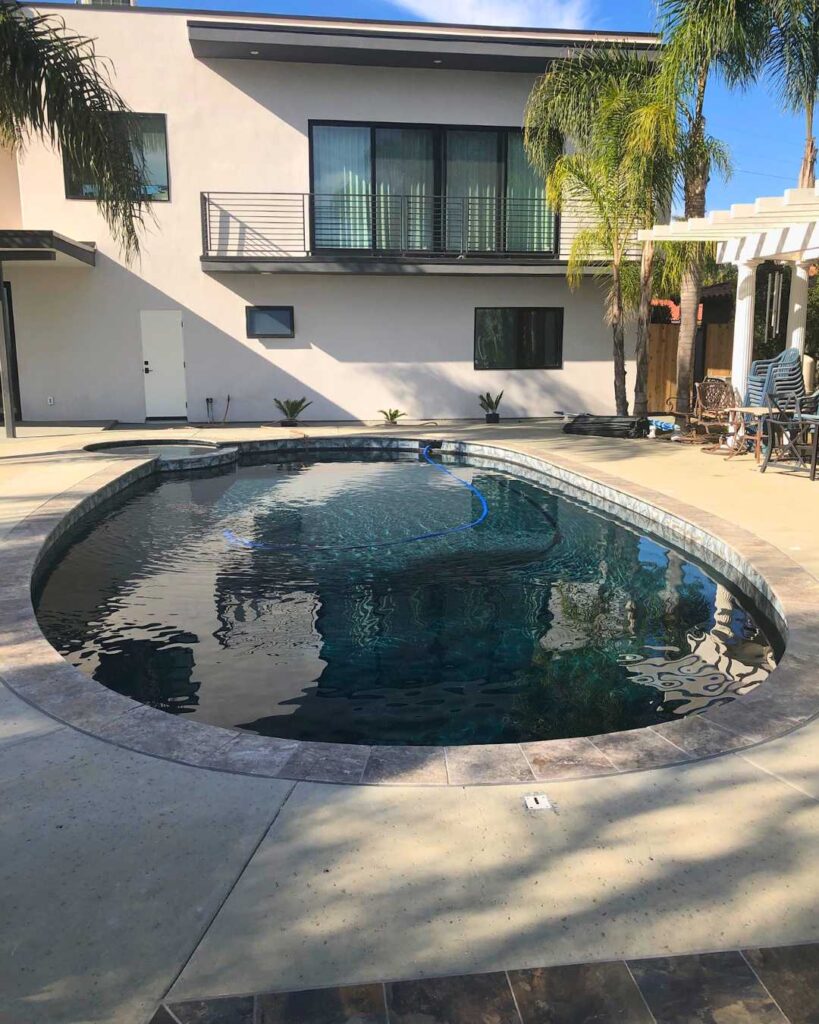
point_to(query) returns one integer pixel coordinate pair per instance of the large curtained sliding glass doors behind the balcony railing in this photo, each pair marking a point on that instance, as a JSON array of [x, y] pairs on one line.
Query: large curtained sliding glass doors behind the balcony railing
[[421, 189]]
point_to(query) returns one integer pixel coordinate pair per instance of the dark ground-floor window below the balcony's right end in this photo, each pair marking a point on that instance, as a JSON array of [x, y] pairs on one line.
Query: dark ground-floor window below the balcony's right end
[[520, 338]]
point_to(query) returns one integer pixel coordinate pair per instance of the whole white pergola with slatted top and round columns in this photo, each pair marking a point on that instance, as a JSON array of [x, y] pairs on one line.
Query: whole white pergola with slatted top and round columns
[[777, 228]]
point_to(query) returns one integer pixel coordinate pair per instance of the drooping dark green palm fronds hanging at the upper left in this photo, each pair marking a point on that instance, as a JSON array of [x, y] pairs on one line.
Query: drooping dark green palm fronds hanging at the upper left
[[54, 88]]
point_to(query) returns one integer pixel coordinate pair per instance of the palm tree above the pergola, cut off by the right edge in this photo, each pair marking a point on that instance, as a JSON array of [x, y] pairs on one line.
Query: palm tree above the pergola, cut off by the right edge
[[794, 64]]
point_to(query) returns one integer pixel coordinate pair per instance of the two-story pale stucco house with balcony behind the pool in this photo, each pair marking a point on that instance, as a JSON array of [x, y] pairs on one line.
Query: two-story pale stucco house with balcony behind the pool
[[342, 210]]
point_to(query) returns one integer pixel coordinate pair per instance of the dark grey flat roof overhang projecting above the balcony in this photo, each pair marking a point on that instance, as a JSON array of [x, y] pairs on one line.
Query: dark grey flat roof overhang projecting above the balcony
[[380, 45]]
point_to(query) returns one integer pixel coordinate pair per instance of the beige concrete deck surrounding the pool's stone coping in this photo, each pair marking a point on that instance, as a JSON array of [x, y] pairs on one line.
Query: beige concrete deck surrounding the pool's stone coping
[[124, 877]]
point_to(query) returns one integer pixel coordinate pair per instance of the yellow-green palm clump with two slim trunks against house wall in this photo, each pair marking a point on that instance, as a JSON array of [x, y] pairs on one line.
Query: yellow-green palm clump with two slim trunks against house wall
[[596, 99]]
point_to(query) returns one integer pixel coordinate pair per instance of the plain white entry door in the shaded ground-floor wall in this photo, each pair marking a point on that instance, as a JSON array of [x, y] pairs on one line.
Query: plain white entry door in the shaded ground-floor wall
[[164, 364]]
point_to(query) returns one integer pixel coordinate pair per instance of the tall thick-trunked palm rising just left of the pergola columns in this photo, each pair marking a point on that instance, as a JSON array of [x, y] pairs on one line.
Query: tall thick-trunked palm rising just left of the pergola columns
[[704, 37]]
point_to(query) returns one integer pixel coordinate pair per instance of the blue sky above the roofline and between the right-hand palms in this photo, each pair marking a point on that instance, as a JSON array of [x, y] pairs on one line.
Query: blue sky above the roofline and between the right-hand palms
[[766, 145]]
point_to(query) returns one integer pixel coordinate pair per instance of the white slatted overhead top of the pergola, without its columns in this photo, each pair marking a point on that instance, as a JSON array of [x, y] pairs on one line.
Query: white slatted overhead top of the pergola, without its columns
[[773, 228]]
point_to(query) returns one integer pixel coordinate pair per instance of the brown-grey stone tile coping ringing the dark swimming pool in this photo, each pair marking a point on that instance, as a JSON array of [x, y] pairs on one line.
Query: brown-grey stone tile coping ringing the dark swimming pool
[[38, 674]]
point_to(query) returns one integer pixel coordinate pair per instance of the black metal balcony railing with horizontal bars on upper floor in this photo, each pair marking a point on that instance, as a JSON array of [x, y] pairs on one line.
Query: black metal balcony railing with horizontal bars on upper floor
[[269, 226]]
